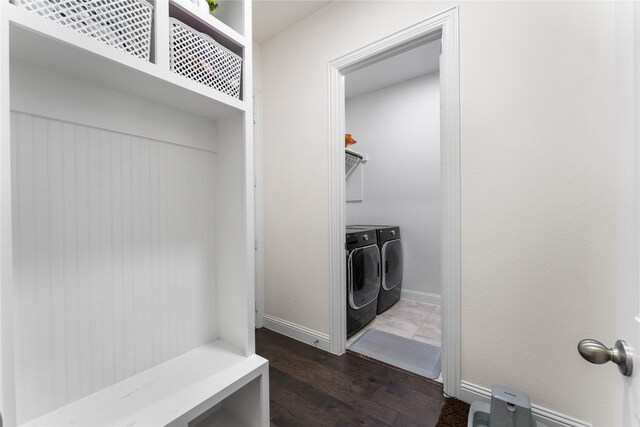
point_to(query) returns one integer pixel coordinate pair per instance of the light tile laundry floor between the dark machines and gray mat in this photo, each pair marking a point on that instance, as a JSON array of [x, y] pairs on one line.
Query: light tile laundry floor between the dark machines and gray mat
[[410, 319]]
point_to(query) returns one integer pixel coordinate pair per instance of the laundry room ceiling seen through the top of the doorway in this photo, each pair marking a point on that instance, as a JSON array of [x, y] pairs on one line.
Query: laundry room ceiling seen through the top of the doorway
[[407, 65]]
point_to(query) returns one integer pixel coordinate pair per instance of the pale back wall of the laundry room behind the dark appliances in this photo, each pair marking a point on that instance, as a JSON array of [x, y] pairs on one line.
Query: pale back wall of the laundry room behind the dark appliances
[[398, 127]]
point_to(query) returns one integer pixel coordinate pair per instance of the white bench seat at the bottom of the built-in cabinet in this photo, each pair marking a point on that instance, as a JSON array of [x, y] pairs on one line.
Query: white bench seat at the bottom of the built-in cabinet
[[172, 393]]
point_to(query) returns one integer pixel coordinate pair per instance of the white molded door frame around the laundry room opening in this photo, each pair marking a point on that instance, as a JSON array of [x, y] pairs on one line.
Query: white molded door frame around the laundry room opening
[[444, 26]]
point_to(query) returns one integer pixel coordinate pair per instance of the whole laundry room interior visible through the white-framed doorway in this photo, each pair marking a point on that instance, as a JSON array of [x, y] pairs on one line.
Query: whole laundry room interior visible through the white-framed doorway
[[393, 209]]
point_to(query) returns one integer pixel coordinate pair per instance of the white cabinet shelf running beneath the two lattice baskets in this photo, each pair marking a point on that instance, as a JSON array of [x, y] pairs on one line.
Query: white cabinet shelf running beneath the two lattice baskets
[[48, 44]]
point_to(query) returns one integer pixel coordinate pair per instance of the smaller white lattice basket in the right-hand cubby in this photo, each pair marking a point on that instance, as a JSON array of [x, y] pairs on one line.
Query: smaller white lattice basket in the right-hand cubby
[[199, 57]]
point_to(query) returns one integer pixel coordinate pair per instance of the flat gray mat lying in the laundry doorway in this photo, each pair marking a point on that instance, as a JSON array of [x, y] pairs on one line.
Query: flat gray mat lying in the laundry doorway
[[413, 356]]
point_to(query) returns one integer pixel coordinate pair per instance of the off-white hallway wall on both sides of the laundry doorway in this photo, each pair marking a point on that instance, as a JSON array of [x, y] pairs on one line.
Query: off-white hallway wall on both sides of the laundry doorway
[[537, 104]]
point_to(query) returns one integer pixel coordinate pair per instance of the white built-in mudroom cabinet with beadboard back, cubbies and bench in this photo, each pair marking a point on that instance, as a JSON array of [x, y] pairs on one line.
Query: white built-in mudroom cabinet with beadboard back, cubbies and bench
[[126, 222]]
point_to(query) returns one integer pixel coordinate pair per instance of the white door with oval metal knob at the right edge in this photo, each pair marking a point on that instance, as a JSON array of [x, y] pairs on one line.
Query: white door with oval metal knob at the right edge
[[627, 389]]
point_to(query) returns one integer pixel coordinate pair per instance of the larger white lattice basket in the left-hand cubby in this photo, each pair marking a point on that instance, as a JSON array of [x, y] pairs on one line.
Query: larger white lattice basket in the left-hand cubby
[[125, 24]]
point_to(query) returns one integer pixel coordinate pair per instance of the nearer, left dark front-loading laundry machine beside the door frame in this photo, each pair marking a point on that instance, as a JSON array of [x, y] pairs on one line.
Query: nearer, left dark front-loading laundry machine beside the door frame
[[363, 277]]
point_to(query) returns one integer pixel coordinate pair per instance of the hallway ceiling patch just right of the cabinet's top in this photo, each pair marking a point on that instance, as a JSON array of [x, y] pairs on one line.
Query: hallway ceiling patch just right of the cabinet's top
[[271, 17]]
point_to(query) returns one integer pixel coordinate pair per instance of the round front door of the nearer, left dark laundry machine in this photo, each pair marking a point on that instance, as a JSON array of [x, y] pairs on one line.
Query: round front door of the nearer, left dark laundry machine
[[364, 276]]
